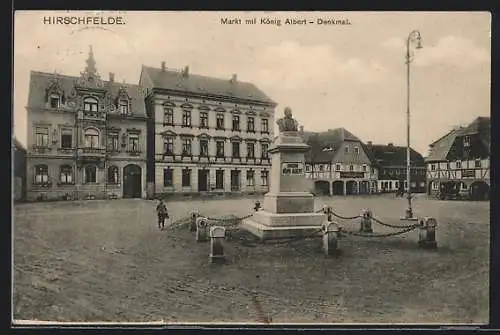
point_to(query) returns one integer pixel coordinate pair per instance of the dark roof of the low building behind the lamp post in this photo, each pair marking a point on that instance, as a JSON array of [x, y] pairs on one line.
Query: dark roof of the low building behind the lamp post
[[393, 155]]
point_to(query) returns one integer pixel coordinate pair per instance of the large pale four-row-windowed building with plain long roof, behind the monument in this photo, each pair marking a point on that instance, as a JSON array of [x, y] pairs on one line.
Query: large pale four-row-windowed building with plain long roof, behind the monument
[[206, 135]]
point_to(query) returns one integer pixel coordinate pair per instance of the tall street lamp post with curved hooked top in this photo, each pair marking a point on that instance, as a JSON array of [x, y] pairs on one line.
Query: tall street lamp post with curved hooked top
[[413, 37]]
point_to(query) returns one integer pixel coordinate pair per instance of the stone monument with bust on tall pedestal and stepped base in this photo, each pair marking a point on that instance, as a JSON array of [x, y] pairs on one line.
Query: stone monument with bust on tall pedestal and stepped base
[[288, 209]]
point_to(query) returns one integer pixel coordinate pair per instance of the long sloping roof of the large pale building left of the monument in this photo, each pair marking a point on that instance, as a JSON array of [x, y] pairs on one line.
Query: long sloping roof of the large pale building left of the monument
[[192, 83]]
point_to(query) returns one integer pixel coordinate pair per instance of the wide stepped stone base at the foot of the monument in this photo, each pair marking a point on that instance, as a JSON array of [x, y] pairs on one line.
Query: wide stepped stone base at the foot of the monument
[[271, 226]]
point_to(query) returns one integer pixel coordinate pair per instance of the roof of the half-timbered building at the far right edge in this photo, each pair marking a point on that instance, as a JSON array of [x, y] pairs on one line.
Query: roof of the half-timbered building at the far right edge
[[439, 149]]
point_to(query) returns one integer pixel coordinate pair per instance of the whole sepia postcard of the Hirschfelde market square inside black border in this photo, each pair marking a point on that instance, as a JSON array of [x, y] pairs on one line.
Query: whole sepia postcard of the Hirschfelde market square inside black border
[[251, 168]]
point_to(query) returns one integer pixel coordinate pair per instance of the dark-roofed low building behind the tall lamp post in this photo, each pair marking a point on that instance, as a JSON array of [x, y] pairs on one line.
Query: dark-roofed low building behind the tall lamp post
[[391, 163]]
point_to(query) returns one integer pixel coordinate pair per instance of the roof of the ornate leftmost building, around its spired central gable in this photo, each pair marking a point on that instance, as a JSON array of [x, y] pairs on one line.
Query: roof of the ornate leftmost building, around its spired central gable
[[40, 81]]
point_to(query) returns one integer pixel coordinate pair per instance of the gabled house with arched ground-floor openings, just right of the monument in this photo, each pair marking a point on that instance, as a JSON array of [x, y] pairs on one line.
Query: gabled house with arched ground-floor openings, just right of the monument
[[339, 163]]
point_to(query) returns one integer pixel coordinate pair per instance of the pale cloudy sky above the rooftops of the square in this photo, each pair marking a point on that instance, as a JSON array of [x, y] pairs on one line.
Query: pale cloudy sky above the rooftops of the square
[[350, 76]]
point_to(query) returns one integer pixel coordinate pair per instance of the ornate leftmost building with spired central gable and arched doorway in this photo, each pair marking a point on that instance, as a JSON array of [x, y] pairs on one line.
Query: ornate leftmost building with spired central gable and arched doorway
[[86, 137]]
